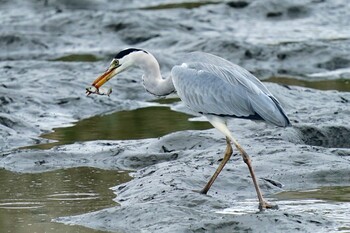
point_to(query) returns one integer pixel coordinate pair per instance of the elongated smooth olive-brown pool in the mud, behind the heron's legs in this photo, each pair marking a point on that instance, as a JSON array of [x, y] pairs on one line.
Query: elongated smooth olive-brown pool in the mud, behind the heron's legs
[[137, 124]]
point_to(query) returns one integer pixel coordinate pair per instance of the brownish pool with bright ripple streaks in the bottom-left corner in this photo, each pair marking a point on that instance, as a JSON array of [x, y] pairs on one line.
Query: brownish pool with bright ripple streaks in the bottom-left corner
[[28, 202]]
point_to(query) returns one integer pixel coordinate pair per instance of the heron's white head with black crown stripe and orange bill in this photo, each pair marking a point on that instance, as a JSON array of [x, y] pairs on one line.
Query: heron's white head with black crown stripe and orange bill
[[122, 61]]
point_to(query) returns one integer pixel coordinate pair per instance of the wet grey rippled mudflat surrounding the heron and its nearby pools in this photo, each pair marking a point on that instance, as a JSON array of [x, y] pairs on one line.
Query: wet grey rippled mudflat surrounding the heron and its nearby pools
[[52, 50]]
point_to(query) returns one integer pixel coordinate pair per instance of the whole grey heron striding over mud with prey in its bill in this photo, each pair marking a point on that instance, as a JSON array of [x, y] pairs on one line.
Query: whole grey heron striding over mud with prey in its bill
[[210, 86]]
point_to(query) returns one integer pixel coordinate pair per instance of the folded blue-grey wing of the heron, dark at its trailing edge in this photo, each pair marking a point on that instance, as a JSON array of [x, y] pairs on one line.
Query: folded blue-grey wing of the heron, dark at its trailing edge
[[210, 89]]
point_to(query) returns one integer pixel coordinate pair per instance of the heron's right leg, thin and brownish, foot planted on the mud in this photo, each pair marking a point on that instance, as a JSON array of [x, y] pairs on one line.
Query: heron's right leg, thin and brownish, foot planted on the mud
[[262, 203]]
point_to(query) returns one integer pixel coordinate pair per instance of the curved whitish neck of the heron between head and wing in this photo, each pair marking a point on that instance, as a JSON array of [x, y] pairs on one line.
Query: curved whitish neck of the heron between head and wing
[[152, 78]]
